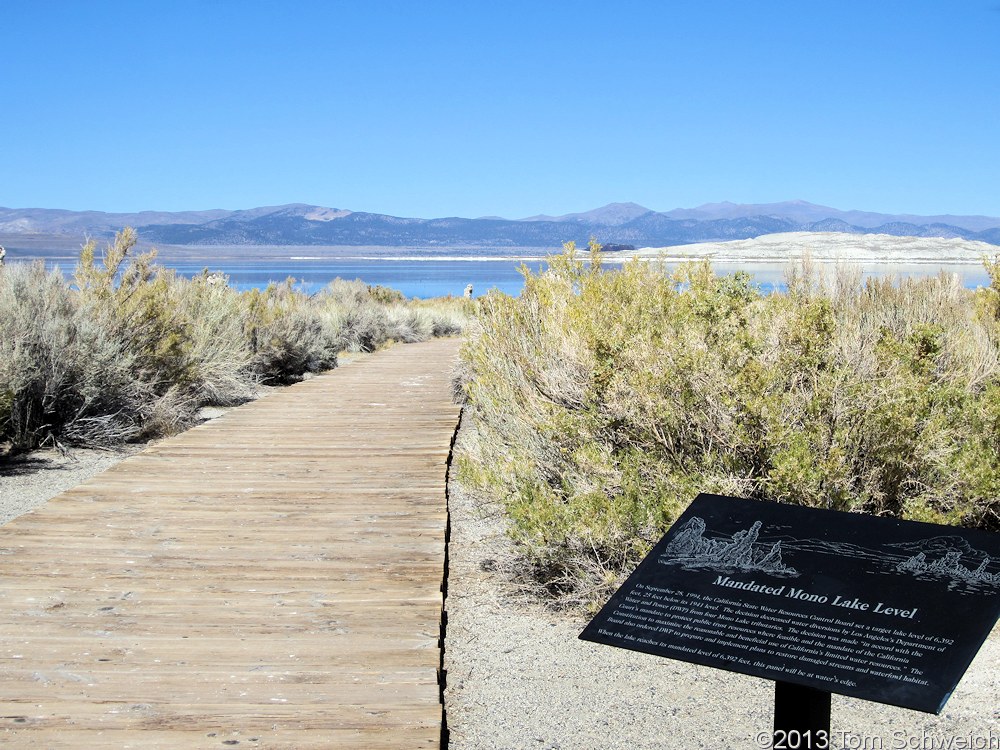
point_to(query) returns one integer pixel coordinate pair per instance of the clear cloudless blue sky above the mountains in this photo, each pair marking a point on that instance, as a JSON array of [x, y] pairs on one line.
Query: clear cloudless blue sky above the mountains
[[487, 108]]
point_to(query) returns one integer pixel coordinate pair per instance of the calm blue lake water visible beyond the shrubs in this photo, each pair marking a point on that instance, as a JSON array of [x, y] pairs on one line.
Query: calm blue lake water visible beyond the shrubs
[[422, 272]]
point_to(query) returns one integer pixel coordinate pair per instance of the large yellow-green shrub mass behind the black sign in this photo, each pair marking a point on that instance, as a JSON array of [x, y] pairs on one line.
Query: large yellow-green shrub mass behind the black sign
[[605, 402]]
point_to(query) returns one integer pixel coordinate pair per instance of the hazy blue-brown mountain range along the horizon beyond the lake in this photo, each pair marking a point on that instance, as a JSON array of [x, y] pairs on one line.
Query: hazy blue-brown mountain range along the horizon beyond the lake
[[617, 224]]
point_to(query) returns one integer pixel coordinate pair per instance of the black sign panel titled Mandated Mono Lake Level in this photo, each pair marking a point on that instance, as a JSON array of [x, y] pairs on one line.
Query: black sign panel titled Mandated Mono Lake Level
[[884, 610]]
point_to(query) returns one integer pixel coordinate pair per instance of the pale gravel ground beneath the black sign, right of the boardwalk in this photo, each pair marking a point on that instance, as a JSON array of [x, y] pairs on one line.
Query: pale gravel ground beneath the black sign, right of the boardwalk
[[519, 677]]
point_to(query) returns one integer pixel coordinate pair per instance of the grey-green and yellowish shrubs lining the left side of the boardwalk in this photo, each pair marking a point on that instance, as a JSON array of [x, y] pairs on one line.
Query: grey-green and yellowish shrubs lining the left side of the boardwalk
[[133, 350]]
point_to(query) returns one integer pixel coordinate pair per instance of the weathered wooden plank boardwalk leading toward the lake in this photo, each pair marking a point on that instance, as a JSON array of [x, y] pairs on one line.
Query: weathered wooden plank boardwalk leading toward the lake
[[270, 579]]
